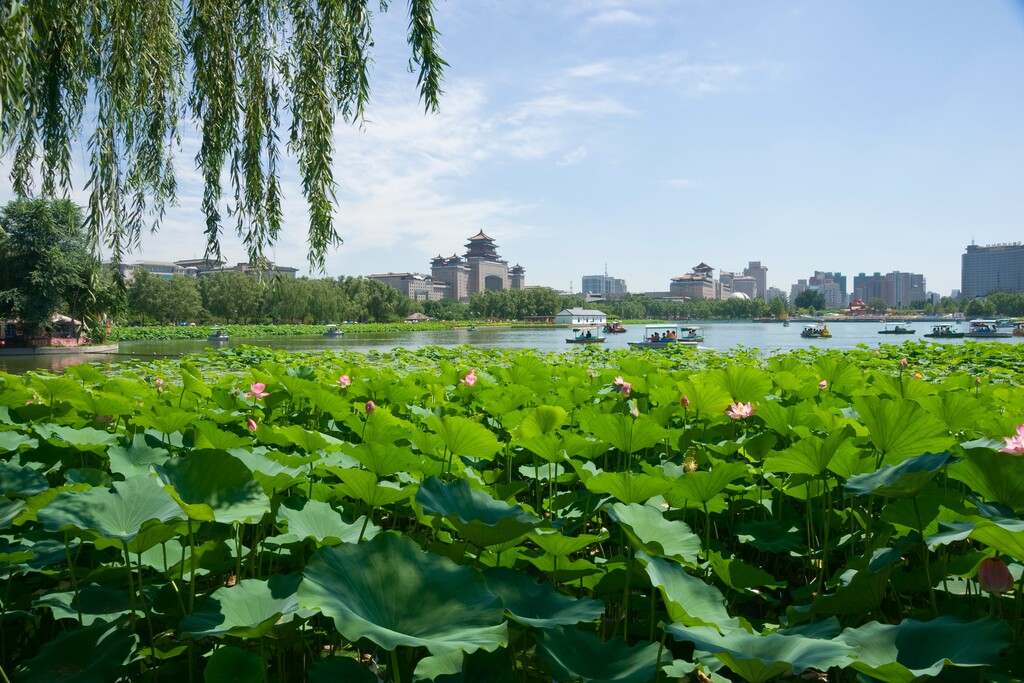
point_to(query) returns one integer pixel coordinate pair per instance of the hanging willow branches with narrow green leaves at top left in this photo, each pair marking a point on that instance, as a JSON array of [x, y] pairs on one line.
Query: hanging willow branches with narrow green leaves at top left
[[122, 77]]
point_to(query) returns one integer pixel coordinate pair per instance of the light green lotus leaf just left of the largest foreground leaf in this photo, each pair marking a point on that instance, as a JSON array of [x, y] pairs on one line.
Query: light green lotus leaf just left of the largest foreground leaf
[[248, 610]]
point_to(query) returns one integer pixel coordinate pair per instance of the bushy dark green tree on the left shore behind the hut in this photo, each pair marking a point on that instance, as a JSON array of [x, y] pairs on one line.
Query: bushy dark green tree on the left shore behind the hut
[[47, 266]]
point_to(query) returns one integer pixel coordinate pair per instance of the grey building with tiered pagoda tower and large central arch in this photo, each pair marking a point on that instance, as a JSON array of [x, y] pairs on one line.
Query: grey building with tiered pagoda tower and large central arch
[[482, 270]]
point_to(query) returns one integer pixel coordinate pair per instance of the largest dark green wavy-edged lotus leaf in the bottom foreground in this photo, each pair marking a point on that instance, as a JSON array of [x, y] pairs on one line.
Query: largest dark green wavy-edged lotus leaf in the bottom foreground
[[393, 593]]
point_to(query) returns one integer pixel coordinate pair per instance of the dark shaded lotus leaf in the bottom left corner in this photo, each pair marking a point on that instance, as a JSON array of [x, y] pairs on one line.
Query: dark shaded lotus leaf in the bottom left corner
[[91, 655]]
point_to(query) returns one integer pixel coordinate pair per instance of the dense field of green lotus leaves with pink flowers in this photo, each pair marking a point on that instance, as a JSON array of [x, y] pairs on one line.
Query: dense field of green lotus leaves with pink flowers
[[481, 516]]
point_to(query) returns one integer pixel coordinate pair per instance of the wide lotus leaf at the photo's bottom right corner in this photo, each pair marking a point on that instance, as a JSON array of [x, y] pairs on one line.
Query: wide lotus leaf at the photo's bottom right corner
[[919, 651]]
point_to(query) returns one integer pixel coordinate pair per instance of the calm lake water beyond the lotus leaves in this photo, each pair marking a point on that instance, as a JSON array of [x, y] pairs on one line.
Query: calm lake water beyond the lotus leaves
[[719, 336]]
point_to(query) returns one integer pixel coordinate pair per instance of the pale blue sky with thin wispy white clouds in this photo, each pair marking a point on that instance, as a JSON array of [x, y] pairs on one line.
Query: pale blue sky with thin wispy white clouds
[[643, 138]]
